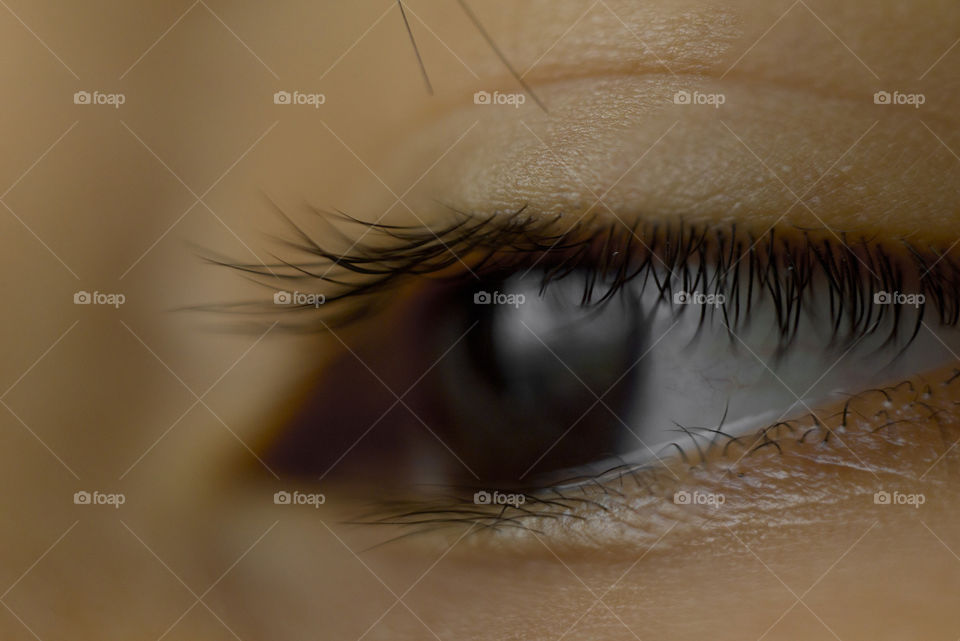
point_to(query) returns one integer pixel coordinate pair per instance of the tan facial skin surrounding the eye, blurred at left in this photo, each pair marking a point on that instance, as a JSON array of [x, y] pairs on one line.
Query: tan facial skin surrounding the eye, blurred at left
[[114, 400]]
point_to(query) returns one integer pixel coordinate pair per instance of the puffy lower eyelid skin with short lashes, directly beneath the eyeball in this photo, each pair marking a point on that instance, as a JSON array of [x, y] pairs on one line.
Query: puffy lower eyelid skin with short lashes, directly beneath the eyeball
[[892, 438]]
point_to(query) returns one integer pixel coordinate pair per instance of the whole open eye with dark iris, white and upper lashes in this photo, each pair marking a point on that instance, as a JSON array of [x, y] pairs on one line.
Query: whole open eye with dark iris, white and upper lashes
[[546, 360]]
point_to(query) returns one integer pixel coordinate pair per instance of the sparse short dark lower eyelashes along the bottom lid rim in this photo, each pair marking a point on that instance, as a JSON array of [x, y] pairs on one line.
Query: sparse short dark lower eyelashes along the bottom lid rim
[[563, 504]]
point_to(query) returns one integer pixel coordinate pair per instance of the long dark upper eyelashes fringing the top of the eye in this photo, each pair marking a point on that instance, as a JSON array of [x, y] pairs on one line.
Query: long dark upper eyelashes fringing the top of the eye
[[780, 267]]
